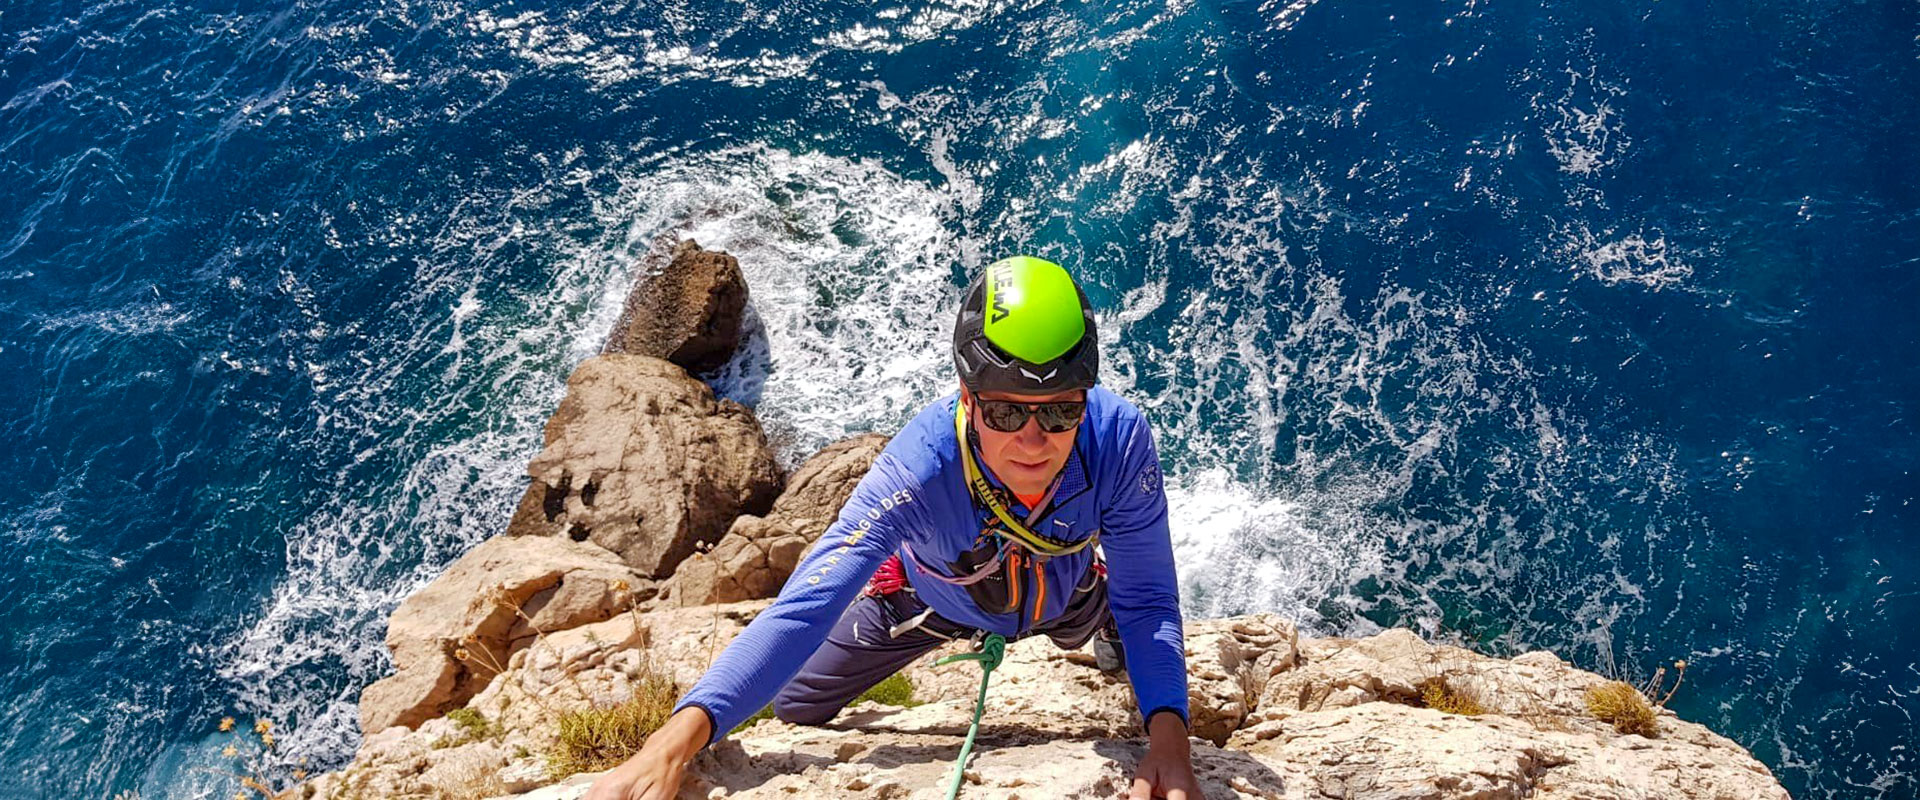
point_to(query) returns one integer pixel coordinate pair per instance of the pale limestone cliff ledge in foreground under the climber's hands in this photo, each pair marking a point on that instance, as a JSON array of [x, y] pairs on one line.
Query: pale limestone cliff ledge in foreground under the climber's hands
[[1057, 728]]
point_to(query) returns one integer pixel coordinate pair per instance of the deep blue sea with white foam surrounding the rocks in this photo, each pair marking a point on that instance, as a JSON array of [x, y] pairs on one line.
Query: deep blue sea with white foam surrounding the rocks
[[1575, 327]]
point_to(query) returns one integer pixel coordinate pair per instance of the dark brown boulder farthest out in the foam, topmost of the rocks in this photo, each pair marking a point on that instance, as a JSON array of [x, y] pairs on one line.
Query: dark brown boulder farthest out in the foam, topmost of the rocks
[[688, 314]]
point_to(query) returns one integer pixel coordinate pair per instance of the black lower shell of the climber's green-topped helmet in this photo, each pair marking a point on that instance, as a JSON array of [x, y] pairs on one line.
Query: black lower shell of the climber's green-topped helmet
[[986, 367]]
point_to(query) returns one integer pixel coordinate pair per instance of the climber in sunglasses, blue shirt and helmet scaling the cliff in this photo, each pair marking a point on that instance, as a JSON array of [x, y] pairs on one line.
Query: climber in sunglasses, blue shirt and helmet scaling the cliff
[[1030, 502]]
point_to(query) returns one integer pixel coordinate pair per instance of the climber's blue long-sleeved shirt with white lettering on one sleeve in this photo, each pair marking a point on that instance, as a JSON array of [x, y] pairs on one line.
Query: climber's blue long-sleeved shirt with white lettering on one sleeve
[[917, 494]]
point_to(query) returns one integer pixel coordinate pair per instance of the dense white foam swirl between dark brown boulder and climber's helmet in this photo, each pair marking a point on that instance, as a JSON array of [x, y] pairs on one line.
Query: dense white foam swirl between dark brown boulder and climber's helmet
[[850, 271]]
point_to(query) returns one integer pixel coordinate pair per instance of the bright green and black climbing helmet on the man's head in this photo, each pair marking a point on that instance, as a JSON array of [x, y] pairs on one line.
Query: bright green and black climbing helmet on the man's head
[[1026, 327]]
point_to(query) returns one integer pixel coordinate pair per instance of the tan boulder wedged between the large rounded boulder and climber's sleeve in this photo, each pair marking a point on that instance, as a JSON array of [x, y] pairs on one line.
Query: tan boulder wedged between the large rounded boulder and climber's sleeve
[[759, 553]]
